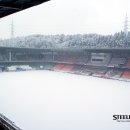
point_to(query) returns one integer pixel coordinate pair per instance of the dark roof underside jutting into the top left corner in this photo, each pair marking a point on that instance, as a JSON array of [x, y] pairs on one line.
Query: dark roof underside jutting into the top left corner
[[8, 7]]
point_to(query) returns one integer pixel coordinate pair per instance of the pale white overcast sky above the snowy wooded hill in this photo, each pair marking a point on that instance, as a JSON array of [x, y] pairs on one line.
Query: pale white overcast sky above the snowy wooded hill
[[68, 17]]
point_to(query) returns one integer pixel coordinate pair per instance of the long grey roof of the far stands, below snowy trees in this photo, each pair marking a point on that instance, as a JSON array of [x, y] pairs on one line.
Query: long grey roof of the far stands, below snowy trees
[[95, 50]]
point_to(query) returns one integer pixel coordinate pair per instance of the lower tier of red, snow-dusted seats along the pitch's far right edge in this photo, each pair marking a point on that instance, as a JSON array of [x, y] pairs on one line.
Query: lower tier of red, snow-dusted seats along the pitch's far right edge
[[102, 72]]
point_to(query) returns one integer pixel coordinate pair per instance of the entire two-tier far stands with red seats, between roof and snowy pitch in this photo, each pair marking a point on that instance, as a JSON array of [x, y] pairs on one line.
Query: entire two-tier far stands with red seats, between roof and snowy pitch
[[106, 65]]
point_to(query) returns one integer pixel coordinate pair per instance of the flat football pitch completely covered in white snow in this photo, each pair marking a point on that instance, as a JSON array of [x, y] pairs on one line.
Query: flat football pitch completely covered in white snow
[[45, 100]]
